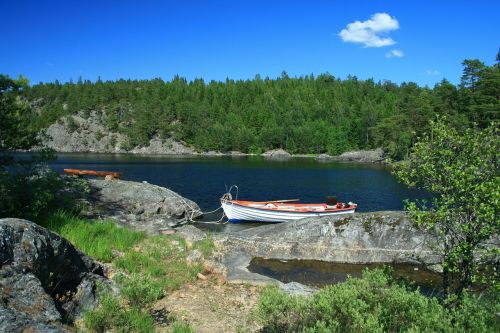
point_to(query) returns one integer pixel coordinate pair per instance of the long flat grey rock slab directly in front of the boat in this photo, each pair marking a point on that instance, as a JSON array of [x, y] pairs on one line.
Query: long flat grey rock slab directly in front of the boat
[[379, 237]]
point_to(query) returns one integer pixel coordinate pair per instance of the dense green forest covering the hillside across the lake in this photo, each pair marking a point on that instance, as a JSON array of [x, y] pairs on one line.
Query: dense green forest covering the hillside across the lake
[[302, 115]]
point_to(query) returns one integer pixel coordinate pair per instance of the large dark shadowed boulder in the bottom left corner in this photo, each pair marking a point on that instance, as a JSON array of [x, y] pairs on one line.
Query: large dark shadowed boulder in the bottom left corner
[[44, 280]]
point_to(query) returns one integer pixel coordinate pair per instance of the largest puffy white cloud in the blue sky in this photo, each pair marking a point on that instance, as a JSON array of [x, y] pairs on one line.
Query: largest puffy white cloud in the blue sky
[[369, 32]]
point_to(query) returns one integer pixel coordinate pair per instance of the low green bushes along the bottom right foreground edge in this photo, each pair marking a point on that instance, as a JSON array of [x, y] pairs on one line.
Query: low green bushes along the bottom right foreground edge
[[374, 303]]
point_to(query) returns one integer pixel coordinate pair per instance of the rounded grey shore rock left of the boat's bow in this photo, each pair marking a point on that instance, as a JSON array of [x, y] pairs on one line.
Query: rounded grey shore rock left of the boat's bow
[[140, 206]]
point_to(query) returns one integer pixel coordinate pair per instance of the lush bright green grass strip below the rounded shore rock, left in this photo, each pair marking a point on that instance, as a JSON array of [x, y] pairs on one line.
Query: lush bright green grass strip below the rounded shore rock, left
[[94, 238]]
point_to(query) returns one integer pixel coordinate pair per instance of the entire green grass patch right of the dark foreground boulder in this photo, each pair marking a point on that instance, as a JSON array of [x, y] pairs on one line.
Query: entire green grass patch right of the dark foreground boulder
[[146, 268]]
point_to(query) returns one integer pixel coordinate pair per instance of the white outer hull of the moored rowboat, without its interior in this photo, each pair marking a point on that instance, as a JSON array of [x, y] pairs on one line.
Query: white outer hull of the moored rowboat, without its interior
[[239, 213]]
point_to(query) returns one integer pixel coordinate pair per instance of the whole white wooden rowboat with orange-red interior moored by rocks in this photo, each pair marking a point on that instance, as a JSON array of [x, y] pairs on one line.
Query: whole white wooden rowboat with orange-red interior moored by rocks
[[280, 211]]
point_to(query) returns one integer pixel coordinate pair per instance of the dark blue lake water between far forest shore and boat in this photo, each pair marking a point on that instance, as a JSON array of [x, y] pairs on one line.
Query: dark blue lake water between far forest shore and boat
[[205, 179]]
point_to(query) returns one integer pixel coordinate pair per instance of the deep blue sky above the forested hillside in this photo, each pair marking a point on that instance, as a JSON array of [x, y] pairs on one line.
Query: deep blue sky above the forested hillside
[[420, 41]]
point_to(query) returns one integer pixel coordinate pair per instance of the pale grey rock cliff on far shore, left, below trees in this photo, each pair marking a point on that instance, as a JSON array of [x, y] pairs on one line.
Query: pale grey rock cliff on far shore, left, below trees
[[79, 133]]
